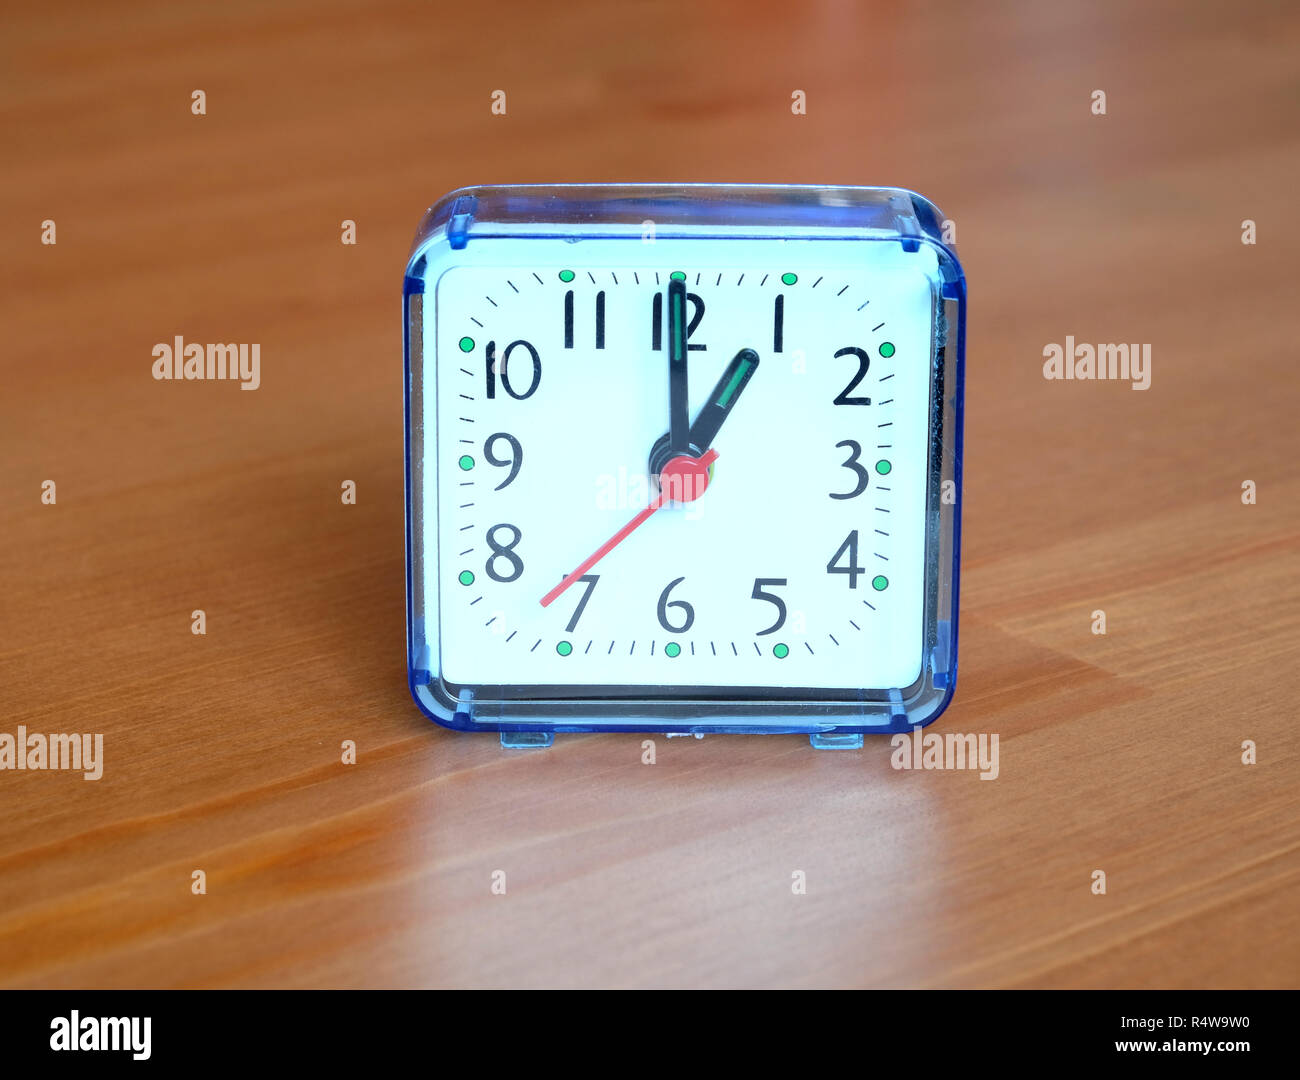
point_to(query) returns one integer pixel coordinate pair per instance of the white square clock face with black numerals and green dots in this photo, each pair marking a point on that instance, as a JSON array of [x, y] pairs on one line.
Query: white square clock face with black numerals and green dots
[[798, 565]]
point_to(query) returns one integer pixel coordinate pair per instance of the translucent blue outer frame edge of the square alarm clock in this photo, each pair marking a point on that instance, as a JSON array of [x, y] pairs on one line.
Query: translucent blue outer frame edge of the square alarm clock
[[453, 222]]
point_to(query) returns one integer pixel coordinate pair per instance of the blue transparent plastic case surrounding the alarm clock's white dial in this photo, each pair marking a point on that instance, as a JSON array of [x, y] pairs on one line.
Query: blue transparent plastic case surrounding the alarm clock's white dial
[[479, 222]]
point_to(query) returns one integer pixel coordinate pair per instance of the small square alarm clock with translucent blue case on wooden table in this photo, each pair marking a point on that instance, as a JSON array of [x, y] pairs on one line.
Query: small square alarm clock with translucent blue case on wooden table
[[683, 459]]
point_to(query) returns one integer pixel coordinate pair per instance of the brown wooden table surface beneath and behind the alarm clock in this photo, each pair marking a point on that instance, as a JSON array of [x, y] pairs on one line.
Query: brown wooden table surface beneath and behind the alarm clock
[[1121, 753]]
